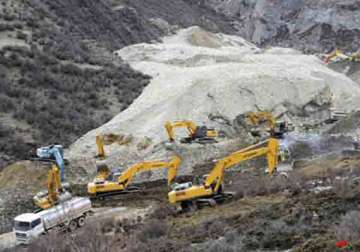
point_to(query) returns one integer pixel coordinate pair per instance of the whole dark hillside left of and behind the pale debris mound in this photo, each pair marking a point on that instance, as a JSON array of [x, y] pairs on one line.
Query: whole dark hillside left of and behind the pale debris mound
[[51, 48]]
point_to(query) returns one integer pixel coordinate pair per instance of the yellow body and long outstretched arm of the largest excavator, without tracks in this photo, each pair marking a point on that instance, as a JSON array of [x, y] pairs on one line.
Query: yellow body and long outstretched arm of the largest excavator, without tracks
[[212, 185]]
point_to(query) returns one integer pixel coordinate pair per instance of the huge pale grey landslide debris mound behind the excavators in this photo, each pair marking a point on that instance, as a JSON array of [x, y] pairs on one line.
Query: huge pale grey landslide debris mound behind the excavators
[[212, 79]]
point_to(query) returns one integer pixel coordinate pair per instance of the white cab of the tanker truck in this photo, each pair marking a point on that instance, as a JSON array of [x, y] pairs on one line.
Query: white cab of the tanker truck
[[27, 227]]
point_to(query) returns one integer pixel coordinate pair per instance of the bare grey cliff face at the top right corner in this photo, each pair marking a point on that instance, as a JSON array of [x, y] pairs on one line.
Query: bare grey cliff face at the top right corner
[[312, 26]]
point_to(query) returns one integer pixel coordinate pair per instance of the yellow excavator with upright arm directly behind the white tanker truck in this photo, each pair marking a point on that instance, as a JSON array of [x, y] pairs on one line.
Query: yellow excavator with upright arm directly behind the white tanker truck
[[55, 193]]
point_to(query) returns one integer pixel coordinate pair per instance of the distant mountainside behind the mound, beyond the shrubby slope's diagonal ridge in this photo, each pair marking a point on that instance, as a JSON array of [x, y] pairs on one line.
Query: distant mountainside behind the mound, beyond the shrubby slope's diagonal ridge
[[311, 26]]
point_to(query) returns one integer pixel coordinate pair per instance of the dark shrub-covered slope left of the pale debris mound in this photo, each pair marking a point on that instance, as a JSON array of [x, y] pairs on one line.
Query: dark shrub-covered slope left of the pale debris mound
[[43, 85]]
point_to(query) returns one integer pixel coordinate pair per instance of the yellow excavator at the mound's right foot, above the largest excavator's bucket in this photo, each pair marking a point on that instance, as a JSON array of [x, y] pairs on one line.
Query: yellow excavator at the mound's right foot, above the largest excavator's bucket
[[277, 129]]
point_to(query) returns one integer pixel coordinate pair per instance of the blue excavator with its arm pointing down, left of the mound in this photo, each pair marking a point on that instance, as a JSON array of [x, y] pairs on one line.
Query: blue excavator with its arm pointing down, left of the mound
[[53, 153]]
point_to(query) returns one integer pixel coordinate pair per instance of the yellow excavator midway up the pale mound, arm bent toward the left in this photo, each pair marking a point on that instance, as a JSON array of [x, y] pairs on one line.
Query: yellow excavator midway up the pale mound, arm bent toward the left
[[200, 134]]
